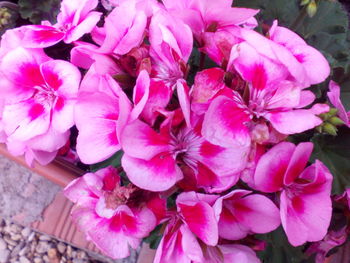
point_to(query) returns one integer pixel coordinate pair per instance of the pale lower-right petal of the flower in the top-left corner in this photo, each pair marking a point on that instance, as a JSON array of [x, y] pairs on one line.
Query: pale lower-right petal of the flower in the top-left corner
[[86, 26]]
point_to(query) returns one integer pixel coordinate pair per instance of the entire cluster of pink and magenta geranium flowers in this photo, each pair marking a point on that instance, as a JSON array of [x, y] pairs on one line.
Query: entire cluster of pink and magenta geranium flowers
[[215, 145]]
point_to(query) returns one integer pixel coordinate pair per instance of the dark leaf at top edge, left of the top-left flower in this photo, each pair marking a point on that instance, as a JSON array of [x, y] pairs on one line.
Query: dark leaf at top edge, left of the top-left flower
[[37, 11]]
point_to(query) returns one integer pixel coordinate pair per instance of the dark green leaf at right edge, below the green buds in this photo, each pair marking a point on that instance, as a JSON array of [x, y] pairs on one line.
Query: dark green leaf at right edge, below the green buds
[[334, 152]]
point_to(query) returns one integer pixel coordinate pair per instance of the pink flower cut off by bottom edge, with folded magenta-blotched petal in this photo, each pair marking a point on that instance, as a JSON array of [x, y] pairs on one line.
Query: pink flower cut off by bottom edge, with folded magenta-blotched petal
[[195, 220]]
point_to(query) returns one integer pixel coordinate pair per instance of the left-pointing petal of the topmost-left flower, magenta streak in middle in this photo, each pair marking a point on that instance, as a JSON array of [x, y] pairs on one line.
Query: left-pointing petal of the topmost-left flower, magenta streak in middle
[[40, 36]]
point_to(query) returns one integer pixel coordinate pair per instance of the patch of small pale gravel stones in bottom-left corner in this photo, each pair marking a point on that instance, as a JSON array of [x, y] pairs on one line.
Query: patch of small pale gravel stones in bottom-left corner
[[22, 245]]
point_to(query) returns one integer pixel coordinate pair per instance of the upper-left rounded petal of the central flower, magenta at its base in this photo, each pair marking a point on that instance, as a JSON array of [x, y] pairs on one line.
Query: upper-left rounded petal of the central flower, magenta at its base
[[141, 141]]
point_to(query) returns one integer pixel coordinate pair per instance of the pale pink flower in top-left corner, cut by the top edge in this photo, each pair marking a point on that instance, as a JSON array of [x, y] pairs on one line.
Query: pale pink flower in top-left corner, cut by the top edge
[[74, 20]]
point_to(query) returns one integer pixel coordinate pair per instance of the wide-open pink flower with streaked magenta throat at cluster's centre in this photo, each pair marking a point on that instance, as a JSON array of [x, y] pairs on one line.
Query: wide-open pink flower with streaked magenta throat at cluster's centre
[[157, 160]]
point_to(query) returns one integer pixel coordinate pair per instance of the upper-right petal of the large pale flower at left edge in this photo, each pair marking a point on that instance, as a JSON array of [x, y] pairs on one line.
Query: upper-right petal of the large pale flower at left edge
[[62, 76]]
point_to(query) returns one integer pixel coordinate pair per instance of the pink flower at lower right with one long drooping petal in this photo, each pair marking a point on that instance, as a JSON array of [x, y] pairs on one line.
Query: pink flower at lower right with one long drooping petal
[[305, 203]]
